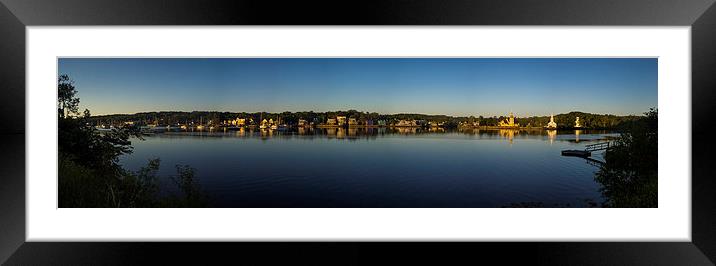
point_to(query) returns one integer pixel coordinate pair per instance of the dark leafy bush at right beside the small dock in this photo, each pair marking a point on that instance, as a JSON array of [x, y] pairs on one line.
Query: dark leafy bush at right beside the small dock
[[629, 176]]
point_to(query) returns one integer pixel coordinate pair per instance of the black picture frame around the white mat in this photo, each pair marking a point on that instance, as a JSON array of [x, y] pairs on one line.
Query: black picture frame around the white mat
[[15, 15]]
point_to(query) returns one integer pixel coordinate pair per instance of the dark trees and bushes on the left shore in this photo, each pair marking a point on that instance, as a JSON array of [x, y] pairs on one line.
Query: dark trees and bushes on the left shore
[[89, 173]]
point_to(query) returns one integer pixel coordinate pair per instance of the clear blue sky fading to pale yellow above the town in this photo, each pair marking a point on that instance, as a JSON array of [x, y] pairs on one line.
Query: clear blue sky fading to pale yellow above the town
[[451, 86]]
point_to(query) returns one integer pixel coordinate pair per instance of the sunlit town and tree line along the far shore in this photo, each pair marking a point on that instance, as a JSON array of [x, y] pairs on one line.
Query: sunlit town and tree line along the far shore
[[210, 121]]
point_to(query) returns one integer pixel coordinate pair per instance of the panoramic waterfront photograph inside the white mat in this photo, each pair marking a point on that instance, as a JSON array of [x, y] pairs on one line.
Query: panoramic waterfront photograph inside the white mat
[[357, 132]]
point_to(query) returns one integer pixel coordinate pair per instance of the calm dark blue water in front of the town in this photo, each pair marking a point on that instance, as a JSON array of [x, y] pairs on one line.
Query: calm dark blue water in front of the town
[[379, 167]]
